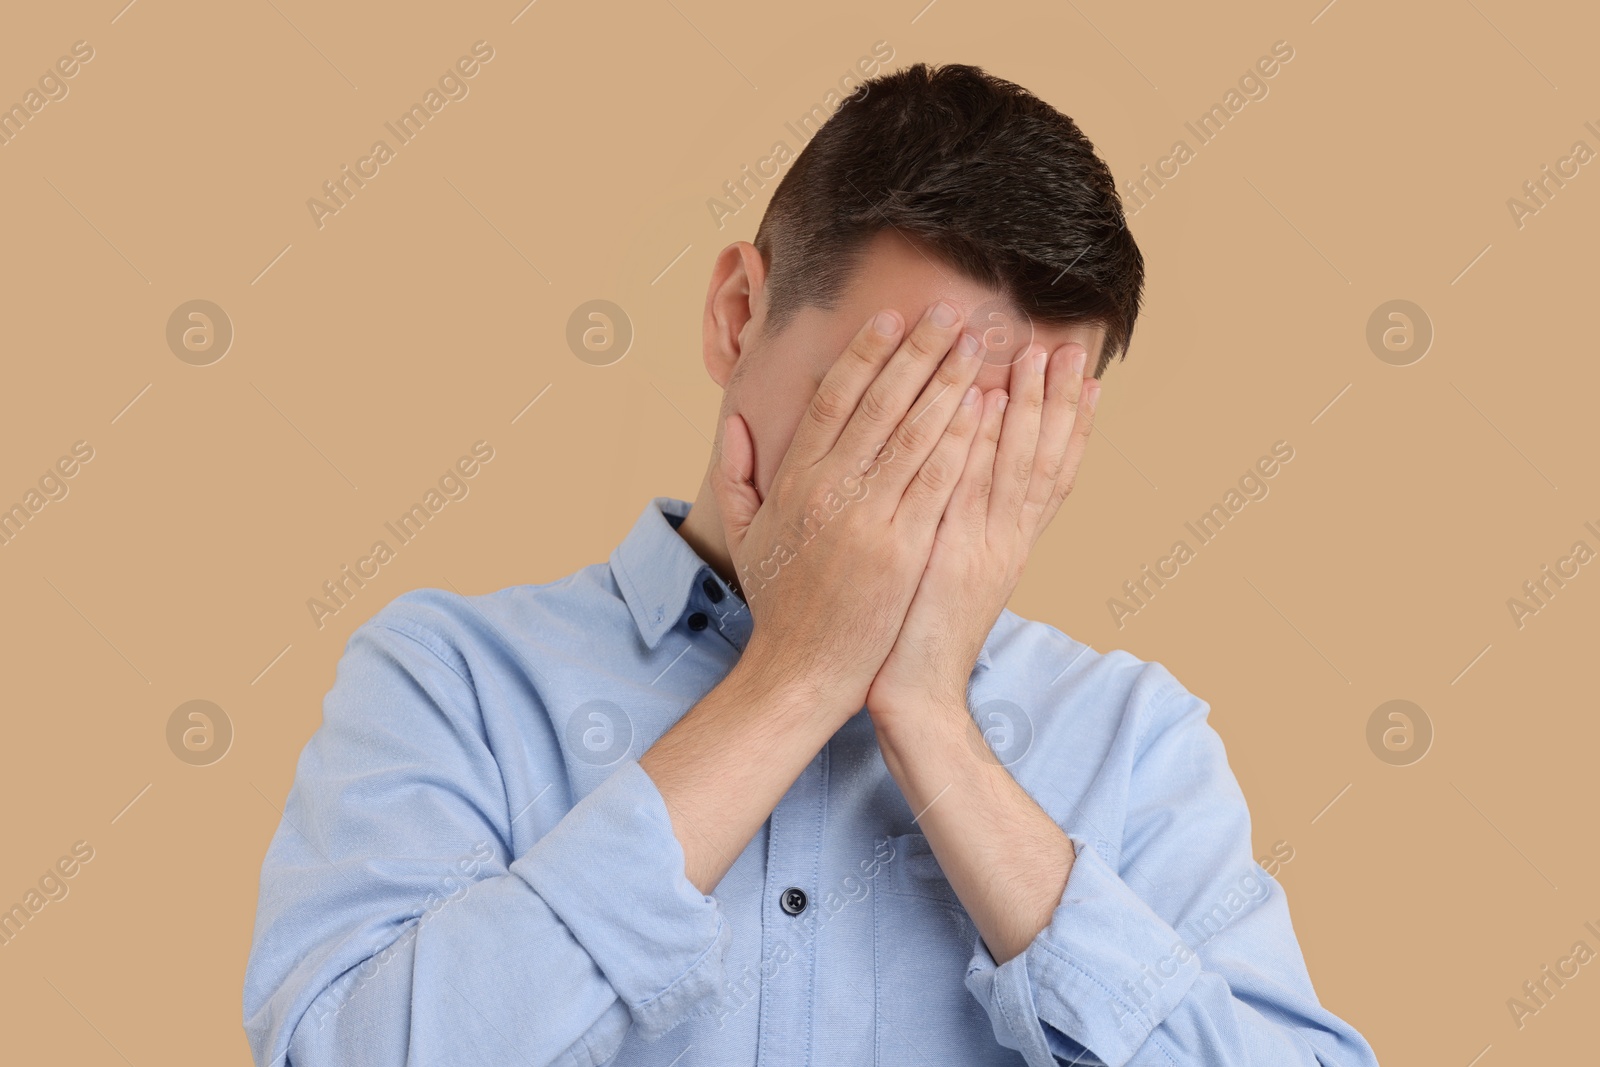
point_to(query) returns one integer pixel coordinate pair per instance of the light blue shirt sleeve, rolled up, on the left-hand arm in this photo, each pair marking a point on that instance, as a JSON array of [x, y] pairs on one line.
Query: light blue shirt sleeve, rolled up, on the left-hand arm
[[394, 927]]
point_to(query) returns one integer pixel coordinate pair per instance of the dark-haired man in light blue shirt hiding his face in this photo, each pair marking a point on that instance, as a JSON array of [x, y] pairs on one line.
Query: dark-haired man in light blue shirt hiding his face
[[783, 783]]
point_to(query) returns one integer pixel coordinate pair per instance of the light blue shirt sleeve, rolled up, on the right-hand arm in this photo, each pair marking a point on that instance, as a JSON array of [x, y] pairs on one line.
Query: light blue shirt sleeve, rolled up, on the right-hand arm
[[1201, 965]]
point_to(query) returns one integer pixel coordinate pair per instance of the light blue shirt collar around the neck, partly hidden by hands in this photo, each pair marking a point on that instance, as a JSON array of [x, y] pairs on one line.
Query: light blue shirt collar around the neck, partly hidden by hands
[[657, 572]]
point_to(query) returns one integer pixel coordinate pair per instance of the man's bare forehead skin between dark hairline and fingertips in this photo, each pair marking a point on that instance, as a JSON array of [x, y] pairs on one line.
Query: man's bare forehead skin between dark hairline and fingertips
[[900, 273]]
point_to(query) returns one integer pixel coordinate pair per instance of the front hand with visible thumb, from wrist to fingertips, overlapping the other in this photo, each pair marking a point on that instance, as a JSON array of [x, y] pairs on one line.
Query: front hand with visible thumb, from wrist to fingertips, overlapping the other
[[830, 561]]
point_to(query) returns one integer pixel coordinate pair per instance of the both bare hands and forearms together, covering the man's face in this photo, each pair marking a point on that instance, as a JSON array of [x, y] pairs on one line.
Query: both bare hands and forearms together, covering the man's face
[[870, 585]]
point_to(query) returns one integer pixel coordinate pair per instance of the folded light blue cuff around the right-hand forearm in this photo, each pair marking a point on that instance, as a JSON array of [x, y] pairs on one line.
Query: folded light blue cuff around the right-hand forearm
[[1105, 973]]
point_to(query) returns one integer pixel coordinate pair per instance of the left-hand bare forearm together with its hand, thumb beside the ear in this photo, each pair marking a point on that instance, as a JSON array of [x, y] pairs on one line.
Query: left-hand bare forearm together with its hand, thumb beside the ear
[[830, 564]]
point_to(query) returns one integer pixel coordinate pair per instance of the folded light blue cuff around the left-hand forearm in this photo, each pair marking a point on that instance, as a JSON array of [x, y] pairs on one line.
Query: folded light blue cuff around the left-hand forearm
[[614, 873]]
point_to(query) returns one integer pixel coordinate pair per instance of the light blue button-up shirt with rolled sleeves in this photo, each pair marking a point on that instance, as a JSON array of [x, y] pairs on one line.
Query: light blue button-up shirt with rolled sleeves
[[474, 869]]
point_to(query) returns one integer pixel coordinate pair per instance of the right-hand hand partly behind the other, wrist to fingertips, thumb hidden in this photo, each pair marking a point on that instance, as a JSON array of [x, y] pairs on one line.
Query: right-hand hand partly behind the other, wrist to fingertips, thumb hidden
[[1020, 470]]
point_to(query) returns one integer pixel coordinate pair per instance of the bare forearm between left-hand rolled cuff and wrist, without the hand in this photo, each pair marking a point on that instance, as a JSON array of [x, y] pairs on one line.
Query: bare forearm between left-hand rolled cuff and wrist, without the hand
[[729, 762]]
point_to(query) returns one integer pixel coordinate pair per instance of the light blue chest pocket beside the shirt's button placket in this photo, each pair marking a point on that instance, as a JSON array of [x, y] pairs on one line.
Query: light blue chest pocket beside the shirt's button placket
[[922, 941]]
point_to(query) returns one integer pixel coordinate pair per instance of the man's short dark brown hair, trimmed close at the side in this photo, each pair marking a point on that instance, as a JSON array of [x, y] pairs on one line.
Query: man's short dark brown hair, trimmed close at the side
[[999, 183]]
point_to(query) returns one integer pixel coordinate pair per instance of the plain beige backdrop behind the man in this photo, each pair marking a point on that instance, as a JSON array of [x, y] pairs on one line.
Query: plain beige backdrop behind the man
[[433, 310]]
